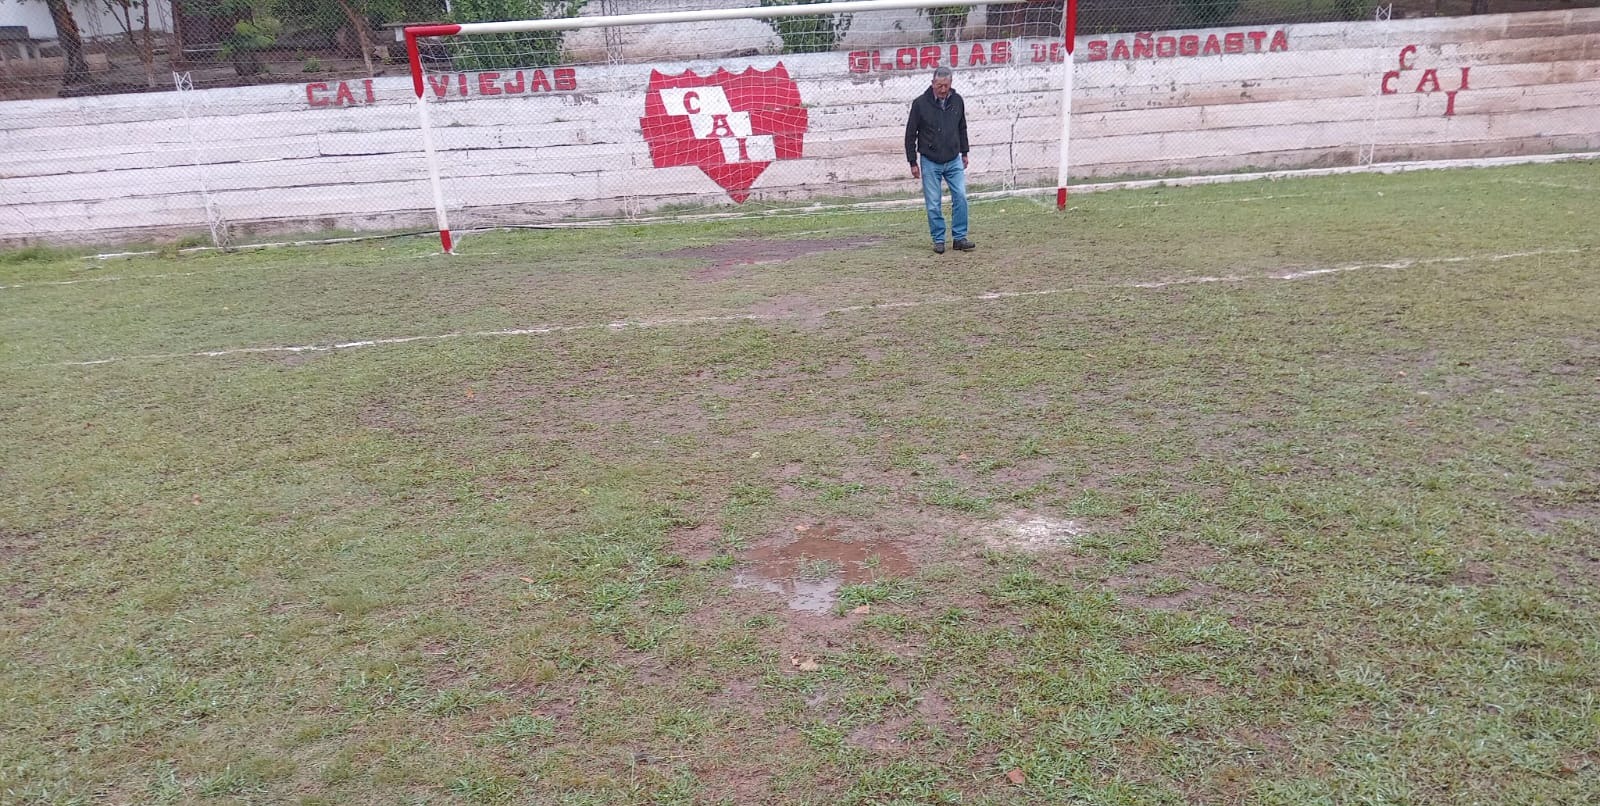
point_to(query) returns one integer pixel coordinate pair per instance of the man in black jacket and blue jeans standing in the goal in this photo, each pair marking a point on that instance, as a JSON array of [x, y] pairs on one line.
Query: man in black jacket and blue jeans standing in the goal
[[937, 150]]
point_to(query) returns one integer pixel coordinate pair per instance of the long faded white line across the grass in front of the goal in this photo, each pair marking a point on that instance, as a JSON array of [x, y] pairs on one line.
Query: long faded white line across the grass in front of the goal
[[681, 322]]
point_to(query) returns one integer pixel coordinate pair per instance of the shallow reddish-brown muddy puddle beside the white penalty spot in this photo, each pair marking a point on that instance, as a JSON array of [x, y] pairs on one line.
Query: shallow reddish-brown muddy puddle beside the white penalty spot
[[810, 570]]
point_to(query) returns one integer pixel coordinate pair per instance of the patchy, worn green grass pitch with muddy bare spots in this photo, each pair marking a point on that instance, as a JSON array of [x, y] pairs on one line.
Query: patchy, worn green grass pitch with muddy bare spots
[[1334, 540]]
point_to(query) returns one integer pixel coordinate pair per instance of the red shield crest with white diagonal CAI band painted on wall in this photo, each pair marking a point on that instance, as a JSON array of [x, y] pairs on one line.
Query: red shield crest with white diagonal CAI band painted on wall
[[729, 126]]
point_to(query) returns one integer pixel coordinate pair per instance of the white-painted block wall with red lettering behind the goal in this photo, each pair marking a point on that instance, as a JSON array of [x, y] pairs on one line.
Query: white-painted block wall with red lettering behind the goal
[[129, 167]]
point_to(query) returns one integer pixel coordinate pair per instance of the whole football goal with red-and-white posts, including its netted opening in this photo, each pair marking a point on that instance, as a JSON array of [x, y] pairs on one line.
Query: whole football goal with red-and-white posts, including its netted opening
[[628, 114]]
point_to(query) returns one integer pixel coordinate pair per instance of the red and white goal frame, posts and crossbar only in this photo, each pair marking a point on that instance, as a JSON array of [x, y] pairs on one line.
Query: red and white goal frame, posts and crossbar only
[[414, 52]]
